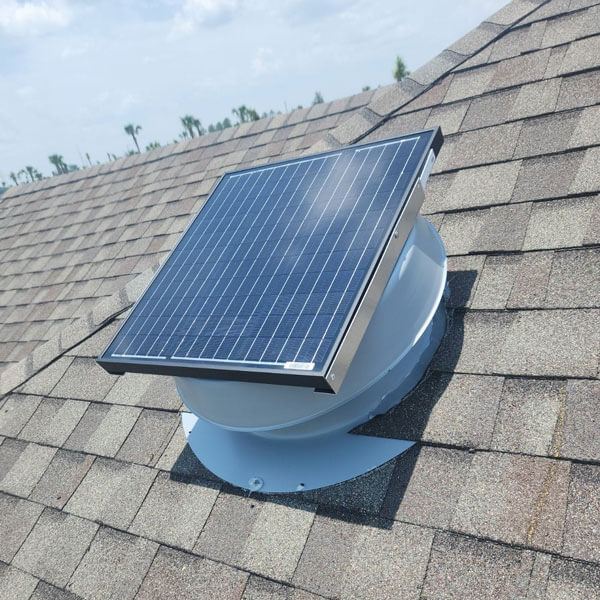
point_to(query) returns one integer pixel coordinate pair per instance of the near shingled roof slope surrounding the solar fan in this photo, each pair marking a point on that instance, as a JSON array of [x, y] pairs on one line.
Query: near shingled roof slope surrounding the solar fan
[[501, 497]]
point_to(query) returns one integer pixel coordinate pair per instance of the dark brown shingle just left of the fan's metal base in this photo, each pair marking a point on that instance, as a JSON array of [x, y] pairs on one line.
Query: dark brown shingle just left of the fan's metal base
[[149, 437]]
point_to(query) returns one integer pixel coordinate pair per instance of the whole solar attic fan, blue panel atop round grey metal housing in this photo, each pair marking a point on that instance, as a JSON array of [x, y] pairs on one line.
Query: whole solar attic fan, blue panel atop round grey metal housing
[[302, 300]]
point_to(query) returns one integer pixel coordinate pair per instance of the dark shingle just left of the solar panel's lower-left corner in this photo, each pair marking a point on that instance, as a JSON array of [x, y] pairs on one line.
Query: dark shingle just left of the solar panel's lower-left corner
[[84, 380]]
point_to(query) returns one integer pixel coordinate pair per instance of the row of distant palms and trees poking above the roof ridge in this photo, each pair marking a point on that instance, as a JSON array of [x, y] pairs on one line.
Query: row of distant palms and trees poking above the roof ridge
[[192, 127]]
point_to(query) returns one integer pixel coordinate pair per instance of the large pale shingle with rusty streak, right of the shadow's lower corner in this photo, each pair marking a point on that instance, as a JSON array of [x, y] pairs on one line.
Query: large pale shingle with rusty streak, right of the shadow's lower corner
[[501, 500]]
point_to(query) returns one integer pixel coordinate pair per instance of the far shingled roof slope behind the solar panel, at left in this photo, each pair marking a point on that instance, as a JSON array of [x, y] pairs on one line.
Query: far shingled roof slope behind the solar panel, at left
[[70, 240]]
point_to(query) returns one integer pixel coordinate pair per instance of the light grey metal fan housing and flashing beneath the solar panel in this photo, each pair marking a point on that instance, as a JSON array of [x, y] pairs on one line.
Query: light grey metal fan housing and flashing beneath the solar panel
[[276, 438]]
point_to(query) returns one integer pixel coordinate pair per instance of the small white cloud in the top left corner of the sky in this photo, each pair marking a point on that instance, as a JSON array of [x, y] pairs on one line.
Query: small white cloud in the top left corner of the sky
[[33, 17]]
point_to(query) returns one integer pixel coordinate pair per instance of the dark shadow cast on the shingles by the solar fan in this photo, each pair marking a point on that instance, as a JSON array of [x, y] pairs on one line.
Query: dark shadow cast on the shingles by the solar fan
[[372, 498]]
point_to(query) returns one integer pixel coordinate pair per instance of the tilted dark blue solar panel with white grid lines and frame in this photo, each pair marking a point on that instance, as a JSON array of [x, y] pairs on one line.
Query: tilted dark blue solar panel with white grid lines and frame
[[266, 282]]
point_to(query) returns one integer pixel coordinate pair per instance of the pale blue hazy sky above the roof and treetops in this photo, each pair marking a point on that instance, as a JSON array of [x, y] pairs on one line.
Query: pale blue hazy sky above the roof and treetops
[[73, 73]]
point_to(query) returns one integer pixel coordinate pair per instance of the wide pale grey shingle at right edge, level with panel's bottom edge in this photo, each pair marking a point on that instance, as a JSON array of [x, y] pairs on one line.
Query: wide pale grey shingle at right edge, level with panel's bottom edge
[[552, 343]]
